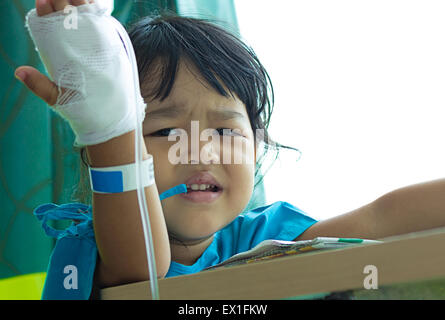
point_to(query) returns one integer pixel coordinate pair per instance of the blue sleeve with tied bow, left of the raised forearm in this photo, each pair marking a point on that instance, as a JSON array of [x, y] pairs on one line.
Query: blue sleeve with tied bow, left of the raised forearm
[[72, 262]]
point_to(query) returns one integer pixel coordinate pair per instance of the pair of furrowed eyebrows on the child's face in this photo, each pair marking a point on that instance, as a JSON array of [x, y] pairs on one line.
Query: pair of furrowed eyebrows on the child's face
[[175, 111]]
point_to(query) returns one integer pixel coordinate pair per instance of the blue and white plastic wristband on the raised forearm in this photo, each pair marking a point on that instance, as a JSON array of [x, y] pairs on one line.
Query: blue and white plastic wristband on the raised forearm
[[121, 178]]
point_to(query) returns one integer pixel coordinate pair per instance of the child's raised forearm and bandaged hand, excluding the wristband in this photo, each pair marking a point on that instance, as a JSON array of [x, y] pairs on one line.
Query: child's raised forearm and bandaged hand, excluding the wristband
[[92, 87]]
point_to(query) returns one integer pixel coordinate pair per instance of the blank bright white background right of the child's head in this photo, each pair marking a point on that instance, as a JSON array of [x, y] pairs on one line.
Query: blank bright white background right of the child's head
[[360, 90]]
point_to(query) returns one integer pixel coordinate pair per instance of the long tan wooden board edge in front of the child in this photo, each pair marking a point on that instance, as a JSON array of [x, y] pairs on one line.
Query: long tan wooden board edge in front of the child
[[403, 259]]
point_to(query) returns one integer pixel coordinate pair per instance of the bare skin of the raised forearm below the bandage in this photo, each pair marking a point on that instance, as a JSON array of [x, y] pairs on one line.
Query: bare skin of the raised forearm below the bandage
[[117, 221]]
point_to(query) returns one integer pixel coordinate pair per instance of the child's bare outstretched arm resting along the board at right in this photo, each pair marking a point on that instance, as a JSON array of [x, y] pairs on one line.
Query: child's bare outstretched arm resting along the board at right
[[409, 209]]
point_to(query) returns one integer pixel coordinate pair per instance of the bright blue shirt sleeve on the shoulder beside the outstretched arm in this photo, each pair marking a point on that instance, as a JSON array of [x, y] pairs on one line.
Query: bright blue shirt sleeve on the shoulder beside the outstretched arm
[[280, 221]]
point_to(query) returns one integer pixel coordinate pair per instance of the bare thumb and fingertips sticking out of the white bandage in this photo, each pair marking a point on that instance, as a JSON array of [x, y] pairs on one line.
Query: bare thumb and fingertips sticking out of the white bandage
[[37, 82]]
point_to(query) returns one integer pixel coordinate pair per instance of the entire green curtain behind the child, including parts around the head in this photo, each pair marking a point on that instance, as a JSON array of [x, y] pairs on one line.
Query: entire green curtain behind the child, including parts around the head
[[38, 163]]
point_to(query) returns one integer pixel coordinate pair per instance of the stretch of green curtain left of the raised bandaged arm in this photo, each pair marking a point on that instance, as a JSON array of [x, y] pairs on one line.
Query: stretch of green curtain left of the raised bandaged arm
[[26, 149]]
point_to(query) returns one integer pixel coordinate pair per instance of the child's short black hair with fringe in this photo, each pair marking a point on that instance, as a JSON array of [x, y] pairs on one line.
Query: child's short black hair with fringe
[[221, 58]]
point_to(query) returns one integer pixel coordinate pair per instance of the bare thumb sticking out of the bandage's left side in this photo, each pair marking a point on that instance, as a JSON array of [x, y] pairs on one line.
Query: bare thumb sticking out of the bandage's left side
[[38, 83]]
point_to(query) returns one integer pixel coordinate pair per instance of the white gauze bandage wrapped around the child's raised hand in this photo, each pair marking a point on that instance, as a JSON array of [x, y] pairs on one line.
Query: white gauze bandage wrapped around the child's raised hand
[[92, 61]]
